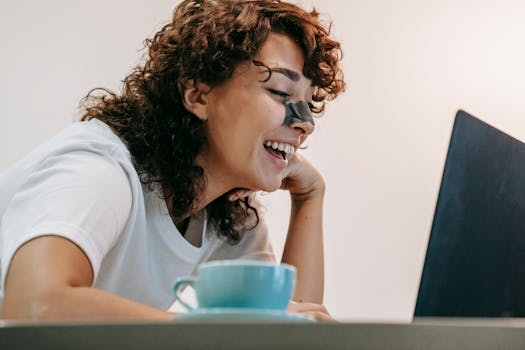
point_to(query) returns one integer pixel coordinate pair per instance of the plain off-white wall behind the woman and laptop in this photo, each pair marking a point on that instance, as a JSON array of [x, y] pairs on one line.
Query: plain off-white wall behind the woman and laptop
[[409, 64]]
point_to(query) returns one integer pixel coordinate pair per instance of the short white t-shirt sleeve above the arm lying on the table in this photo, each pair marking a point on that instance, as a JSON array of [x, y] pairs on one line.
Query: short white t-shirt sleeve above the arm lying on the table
[[82, 196]]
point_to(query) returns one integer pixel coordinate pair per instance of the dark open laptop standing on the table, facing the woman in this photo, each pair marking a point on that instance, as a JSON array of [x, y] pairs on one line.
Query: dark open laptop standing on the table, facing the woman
[[475, 260]]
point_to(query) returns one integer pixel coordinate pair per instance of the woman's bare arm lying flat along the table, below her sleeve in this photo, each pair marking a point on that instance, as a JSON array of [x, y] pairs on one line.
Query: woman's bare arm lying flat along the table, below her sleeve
[[50, 278]]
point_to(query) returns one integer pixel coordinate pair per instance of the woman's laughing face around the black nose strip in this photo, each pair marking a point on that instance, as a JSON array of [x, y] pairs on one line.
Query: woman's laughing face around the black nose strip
[[245, 115]]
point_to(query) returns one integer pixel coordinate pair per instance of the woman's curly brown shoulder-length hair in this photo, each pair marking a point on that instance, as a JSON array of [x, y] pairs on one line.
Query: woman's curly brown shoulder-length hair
[[205, 41]]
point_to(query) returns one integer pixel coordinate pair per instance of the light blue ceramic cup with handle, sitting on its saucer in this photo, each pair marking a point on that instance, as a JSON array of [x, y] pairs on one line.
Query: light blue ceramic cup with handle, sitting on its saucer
[[240, 284]]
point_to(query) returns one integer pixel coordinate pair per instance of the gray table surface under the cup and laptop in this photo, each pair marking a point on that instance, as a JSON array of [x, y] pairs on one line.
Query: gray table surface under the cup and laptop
[[426, 334]]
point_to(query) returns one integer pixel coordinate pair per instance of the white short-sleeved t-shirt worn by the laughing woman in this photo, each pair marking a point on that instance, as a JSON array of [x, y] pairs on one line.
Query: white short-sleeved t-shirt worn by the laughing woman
[[82, 185]]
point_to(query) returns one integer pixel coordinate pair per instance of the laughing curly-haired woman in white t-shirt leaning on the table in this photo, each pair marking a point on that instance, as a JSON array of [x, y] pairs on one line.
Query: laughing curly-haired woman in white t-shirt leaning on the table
[[99, 221]]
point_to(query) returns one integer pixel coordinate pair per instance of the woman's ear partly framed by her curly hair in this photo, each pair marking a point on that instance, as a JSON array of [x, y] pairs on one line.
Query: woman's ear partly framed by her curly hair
[[194, 97]]
